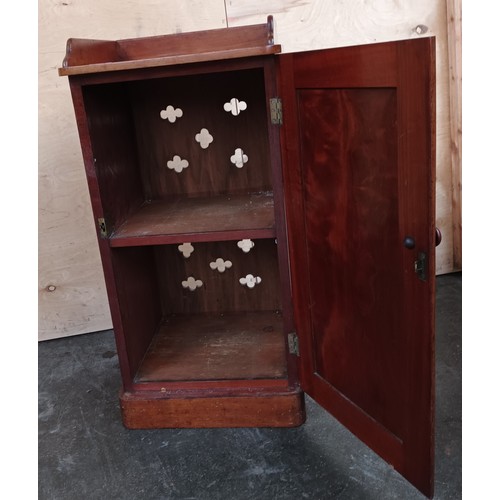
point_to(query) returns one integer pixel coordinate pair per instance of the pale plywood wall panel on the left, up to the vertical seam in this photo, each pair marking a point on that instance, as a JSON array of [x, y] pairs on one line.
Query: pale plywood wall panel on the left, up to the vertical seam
[[72, 296]]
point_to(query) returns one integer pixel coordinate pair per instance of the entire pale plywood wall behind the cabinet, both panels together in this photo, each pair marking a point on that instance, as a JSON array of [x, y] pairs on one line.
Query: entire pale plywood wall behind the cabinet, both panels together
[[72, 297]]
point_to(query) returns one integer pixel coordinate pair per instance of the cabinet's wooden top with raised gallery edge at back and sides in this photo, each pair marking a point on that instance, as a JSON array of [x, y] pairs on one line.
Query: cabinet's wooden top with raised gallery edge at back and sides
[[85, 56]]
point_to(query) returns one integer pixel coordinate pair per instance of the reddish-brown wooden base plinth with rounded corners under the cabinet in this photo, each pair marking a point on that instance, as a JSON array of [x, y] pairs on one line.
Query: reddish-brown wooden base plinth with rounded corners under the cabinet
[[144, 411]]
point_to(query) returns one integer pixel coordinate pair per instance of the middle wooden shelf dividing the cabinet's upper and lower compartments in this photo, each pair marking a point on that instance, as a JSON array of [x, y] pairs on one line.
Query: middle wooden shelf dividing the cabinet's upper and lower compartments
[[198, 219]]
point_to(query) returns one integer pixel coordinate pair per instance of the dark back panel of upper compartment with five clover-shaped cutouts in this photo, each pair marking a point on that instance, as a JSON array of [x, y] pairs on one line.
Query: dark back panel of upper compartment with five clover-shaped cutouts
[[201, 99]]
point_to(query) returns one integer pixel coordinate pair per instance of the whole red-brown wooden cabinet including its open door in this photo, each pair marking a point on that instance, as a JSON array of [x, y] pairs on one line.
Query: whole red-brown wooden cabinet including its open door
[[266, 228]]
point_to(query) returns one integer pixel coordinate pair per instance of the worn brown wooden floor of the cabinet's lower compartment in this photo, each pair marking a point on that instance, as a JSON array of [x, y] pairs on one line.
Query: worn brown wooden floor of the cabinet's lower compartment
[[232, 346]]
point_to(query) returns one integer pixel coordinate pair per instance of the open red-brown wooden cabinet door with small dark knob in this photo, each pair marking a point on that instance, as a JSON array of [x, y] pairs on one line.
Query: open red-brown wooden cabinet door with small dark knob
[[359, 173]]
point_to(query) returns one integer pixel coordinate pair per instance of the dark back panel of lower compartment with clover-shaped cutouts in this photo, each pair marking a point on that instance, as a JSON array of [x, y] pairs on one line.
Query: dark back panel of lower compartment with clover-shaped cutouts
[[219, 292]]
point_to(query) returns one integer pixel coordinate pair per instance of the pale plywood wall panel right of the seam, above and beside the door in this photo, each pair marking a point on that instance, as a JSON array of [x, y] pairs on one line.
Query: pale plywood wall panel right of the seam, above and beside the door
[[316, 24]]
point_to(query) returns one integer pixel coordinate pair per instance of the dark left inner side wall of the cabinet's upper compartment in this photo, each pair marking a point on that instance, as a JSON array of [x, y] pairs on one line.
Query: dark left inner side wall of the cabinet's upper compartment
[[112, 135]]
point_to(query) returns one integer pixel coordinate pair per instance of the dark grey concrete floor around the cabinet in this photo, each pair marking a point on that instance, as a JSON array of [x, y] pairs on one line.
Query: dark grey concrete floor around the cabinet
[[86, 453]]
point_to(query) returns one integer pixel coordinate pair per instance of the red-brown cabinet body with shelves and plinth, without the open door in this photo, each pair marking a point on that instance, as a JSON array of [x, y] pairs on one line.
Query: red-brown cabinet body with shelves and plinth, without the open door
[[167, 369]]
